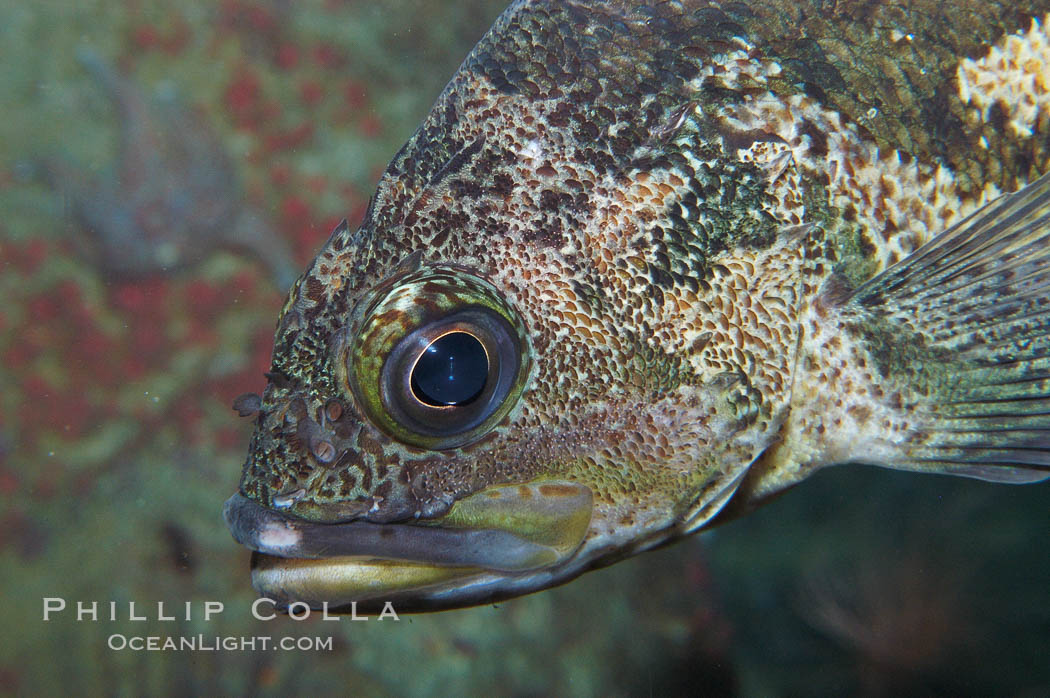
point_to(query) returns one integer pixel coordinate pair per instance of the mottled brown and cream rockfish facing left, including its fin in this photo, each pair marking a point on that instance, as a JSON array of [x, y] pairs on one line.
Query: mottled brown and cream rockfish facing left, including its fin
[[646, 265]]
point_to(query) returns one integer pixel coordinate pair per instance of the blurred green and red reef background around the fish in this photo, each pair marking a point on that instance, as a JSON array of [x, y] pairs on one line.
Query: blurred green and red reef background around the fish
[[131, 322]]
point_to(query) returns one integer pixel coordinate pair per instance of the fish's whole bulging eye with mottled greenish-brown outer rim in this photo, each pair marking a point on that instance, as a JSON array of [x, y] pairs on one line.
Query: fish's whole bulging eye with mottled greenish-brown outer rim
[[439, 359]]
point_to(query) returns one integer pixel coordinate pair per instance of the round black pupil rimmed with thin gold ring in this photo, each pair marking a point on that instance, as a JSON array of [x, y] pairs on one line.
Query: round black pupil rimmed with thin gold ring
[[452, 371]]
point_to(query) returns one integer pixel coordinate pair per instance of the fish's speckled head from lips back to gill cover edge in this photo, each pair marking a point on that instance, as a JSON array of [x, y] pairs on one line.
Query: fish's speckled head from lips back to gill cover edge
[[516, 369]]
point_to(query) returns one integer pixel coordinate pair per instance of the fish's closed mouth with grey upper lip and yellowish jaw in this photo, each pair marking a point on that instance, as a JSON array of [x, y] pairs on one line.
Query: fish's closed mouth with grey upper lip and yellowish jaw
[[495, 544]]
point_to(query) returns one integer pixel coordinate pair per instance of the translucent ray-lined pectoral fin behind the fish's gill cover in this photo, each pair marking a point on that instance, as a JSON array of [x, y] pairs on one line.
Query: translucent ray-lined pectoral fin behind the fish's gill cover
[[965, 324]]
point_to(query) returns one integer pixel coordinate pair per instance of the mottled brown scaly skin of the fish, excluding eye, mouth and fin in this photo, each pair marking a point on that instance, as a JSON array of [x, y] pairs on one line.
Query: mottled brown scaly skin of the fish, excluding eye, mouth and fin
[[657, 204]]
